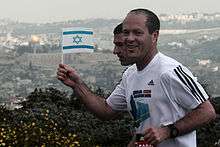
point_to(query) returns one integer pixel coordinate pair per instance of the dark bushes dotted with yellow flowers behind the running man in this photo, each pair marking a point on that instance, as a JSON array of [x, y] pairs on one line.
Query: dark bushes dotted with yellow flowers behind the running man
[[50, 117]]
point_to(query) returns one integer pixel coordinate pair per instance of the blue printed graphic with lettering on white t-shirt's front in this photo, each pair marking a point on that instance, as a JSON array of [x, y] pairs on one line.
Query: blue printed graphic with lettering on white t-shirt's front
[[139, 106]]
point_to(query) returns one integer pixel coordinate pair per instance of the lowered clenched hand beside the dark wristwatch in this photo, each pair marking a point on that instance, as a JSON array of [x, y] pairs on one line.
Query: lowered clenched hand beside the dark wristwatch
[[154, 136]]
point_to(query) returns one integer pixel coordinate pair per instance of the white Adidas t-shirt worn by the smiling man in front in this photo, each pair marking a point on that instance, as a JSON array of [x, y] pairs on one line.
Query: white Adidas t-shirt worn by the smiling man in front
[[160, 94]]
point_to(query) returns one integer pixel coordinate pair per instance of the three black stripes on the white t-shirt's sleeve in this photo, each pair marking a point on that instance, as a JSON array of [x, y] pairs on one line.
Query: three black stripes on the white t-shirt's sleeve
[[190, 83]]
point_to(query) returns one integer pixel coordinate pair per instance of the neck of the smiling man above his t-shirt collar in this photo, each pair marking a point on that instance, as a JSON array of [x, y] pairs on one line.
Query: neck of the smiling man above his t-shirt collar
[[147, 59]]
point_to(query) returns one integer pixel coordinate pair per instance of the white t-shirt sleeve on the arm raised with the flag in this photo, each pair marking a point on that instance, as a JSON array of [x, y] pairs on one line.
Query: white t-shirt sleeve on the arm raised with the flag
[[117, 99]]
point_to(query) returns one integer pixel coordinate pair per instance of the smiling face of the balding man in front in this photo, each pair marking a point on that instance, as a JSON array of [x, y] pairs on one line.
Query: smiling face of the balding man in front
[[136, 37]]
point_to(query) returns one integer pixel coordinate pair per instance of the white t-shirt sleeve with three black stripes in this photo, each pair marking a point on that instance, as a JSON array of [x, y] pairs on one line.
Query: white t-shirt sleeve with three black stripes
[[183, 88]]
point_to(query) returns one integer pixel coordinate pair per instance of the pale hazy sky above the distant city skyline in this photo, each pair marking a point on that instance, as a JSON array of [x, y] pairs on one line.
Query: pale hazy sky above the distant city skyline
[[61, 10]]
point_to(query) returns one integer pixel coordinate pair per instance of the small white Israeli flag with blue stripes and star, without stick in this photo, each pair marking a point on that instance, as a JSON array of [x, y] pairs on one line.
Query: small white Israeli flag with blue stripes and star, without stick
[[77, 40]]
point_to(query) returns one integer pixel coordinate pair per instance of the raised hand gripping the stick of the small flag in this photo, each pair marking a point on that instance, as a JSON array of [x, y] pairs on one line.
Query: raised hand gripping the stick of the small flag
[[68, 75]]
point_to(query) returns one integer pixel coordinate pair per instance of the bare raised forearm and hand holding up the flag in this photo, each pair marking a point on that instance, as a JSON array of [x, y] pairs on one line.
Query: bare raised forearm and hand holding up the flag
[[94, 103]]
